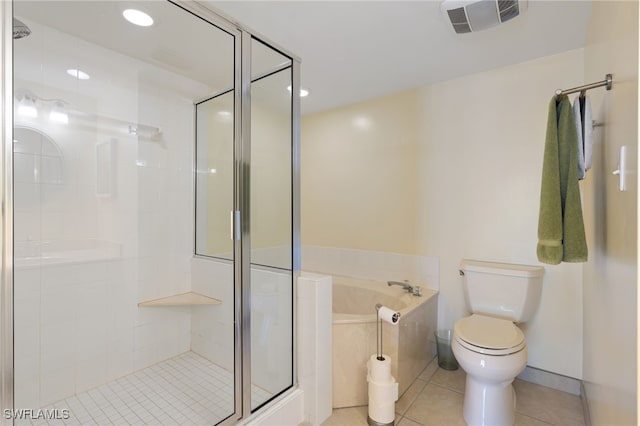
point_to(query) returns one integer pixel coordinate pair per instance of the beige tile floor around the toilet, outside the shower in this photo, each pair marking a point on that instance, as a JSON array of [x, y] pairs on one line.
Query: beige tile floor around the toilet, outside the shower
[[436, 397]]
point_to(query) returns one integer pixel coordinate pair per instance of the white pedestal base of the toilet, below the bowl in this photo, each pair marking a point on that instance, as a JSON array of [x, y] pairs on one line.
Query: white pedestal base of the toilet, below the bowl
[[490, 404]]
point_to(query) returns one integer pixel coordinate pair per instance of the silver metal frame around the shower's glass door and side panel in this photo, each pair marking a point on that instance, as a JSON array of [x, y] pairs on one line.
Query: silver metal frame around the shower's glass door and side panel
[[242, 132]]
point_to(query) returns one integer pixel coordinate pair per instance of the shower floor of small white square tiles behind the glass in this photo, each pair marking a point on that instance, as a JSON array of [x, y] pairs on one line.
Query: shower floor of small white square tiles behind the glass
[[184, 390]]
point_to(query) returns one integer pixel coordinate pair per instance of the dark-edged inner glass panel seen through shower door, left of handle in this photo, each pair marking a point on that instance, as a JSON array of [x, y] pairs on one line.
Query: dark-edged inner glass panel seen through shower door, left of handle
[[214, 176]]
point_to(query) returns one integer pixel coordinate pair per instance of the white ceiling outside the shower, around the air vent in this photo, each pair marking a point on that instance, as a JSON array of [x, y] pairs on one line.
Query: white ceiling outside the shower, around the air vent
[[357, 50]]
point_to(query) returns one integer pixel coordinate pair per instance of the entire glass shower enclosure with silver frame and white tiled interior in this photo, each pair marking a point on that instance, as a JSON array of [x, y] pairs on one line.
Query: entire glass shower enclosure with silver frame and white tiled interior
[[151, 214]]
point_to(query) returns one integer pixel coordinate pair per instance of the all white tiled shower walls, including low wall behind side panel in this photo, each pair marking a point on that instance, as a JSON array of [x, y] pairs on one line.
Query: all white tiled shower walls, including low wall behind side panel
[[86, 254]]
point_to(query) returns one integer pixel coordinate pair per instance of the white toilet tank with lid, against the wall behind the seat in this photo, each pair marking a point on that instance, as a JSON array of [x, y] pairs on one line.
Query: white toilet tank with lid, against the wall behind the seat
[[502, 290]]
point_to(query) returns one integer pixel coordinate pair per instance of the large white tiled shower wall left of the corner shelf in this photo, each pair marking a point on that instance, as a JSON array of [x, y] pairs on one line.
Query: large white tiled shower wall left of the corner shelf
[[77, 323]]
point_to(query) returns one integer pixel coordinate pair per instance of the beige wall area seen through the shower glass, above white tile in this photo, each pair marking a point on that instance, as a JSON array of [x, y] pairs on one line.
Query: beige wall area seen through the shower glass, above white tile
[[270, 176]]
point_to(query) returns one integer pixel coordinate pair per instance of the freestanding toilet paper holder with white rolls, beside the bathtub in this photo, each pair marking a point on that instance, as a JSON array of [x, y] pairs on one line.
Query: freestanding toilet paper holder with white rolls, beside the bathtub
[[383, 389]]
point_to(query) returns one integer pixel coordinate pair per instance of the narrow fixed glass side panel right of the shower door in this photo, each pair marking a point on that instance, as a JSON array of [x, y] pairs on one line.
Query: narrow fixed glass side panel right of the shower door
[[271, 231]]
